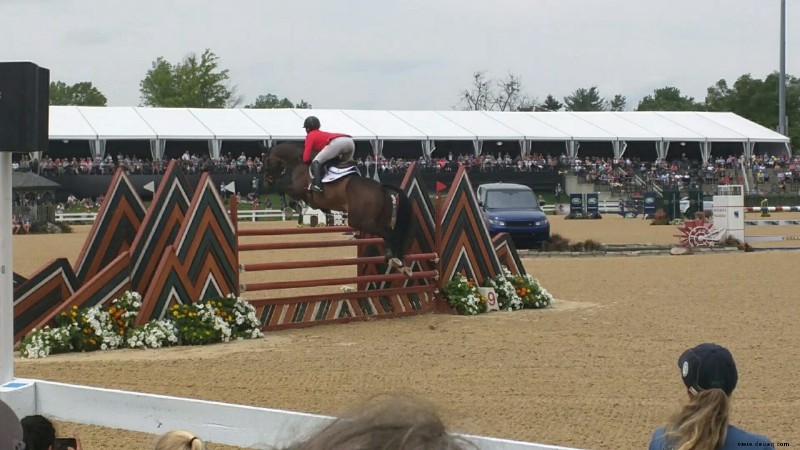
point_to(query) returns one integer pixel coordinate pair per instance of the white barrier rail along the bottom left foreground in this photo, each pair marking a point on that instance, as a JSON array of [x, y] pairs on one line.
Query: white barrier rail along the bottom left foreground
[[224, 423]]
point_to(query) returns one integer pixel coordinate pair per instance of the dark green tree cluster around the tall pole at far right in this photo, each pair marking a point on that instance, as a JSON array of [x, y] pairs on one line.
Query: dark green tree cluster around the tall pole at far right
[[757, 100]]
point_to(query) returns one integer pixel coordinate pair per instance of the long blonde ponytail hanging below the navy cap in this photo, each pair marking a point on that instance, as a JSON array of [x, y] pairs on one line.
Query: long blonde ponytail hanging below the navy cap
[[702, 424]]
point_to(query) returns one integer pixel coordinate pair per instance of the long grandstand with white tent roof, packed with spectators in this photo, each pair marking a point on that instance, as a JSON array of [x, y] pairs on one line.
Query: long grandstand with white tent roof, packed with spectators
[[618, 152]]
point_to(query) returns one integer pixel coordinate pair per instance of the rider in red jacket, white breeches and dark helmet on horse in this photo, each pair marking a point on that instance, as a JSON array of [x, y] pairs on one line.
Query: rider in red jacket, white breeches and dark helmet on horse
[[329, 146]]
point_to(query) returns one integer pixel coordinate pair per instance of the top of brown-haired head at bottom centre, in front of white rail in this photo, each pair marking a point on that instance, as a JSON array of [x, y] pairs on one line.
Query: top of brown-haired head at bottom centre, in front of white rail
[[386, 423]]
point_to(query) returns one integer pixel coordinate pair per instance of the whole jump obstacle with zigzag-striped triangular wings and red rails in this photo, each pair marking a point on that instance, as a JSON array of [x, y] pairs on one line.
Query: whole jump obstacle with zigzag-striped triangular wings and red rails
[[185, 247]]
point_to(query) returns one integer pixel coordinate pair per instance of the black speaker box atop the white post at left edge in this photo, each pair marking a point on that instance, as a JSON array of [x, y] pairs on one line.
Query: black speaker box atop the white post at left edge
[[24, 107]]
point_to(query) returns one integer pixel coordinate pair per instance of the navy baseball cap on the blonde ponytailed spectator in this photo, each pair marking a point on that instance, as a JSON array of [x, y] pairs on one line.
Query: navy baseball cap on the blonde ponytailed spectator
[[708, 366]]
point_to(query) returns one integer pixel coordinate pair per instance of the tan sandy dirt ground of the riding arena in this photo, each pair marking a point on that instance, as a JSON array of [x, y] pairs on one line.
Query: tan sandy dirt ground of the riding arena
[[596, 371]]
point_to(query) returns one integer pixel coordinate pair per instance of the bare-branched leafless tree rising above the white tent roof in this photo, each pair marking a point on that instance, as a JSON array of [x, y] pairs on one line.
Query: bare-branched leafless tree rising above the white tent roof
[[488, 94]]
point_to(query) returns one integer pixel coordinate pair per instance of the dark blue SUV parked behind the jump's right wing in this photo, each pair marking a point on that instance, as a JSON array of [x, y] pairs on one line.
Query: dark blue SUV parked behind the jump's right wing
[[514, 209]]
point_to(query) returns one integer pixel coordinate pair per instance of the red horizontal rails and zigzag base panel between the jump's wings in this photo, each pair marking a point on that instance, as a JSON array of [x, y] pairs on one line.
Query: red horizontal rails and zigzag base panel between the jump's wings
[[398, 295]]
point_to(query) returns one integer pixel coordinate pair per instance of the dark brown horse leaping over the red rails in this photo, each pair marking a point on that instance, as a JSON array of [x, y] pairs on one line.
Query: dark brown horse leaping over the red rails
[[371, 208]]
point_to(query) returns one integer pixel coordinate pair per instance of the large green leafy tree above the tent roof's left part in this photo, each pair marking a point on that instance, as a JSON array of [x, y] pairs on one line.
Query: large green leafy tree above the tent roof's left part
[[192, 83]]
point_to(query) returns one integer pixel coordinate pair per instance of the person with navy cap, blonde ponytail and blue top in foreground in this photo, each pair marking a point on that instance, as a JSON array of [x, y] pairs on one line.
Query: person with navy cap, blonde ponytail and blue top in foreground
[[710, 376]]
